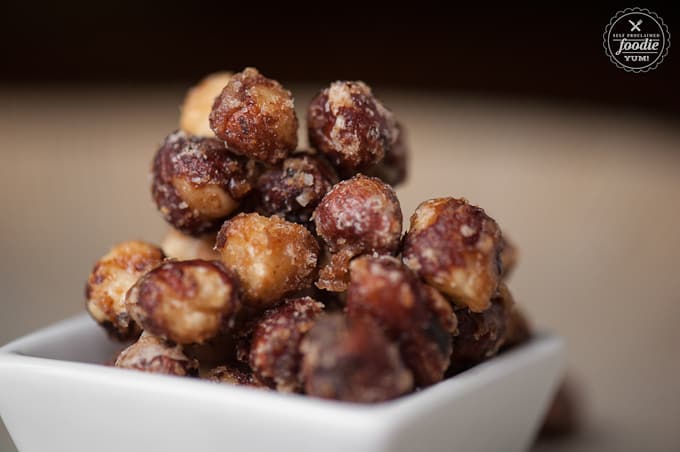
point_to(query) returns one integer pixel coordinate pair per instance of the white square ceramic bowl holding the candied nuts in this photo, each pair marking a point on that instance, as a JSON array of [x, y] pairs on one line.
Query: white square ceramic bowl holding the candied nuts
[[55, 396]]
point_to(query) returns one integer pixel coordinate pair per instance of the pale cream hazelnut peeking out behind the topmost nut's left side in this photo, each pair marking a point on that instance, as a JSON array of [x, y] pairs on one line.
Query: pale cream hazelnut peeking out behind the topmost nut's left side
[[195, 111]]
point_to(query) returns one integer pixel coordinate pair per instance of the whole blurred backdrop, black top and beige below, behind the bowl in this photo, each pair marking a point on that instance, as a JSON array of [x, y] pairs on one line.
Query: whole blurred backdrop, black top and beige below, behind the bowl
[[519, 110]]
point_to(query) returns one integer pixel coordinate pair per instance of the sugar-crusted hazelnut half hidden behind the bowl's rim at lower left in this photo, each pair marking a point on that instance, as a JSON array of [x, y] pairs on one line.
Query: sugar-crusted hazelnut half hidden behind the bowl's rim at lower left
[[153, 354]]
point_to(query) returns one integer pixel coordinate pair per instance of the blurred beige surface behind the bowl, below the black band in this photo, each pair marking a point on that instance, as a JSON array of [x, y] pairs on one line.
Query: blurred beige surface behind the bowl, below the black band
[[592, 198]]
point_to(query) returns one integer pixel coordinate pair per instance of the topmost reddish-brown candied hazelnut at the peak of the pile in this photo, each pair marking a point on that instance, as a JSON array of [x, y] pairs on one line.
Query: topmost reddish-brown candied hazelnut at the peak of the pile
[[255, 117]]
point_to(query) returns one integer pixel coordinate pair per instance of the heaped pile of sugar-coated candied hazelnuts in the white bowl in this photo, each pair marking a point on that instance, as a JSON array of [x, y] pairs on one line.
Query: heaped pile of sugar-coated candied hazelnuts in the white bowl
[[287, 269]]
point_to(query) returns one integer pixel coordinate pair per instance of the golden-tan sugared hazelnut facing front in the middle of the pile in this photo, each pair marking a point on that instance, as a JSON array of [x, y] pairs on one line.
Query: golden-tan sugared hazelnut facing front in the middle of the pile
[[271, 256]]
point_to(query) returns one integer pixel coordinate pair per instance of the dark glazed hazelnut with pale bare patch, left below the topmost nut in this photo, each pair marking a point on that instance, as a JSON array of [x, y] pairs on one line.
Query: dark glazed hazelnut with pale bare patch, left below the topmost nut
[[197, 183]]
